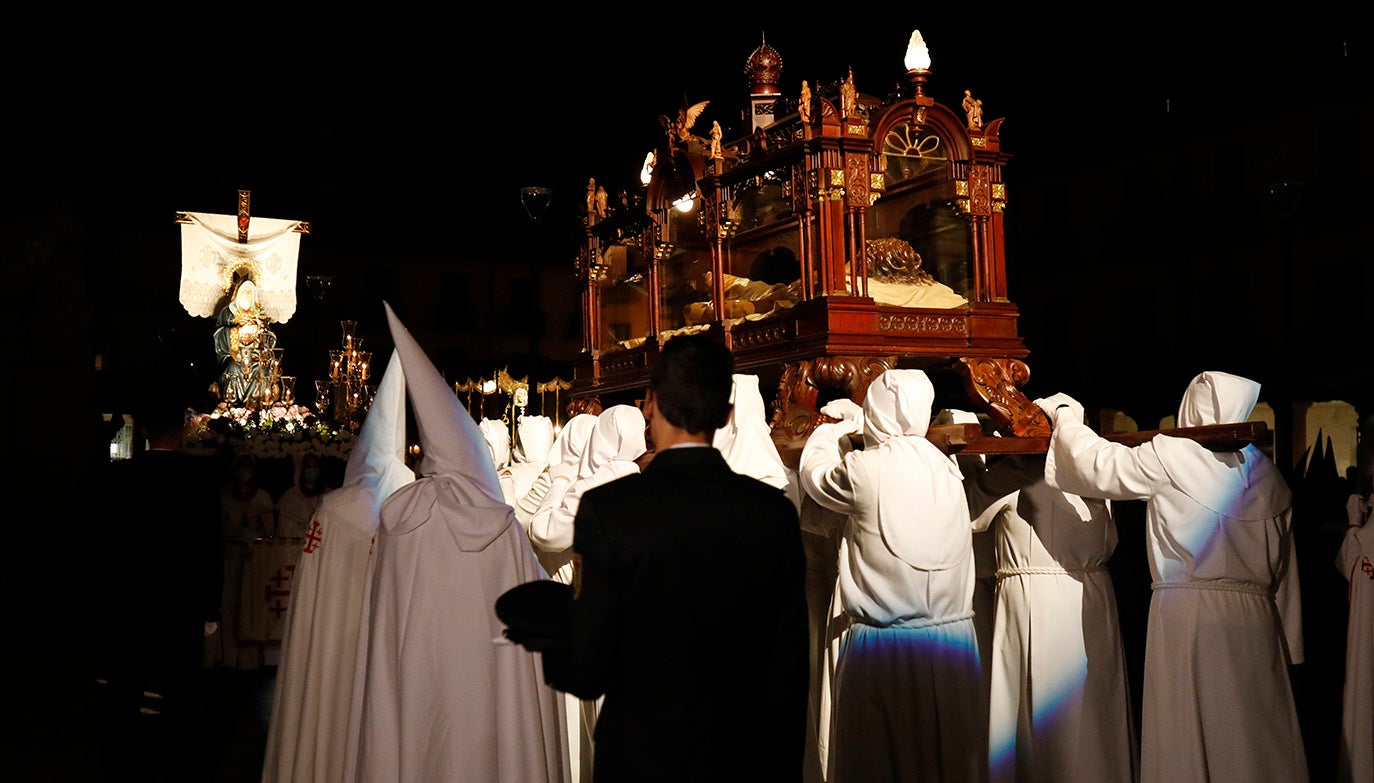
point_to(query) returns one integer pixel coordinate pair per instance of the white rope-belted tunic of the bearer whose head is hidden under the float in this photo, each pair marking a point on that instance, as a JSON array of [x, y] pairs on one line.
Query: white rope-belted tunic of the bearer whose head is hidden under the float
[[1060, 701]]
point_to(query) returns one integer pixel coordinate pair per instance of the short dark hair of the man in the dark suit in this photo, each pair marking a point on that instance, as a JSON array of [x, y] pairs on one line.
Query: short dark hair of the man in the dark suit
[[692, 383]]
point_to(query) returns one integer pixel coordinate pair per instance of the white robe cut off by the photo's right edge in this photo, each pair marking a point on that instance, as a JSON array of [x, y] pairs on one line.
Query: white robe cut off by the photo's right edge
[[1357, 563]]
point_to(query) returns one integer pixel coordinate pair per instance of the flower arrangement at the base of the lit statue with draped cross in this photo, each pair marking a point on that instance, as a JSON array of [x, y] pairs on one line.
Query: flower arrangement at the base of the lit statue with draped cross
[[274, 432]]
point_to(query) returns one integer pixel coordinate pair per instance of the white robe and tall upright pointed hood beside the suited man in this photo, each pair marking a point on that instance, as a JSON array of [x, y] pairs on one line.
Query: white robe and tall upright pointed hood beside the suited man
[[446, 696]]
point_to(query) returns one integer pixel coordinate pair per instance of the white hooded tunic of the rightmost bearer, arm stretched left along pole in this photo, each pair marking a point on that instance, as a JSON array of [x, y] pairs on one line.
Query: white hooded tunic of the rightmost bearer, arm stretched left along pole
[[1218, 704]]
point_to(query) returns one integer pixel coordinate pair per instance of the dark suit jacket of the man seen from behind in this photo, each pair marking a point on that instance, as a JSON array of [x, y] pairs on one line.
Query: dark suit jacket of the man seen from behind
[[692, 622]]
